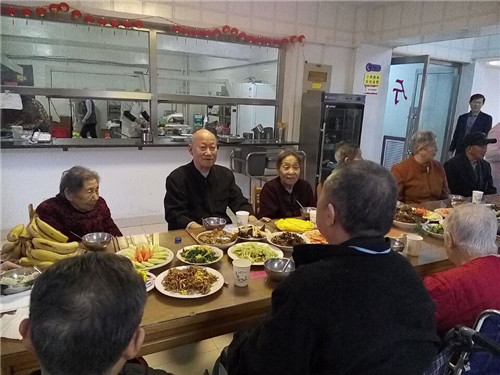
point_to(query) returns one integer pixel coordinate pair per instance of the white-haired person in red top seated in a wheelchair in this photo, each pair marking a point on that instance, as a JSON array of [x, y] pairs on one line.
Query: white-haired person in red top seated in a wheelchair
[[461, 293]]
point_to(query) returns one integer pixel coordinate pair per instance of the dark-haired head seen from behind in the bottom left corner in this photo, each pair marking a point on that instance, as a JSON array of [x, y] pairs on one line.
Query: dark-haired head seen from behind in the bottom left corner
[[85, 315]]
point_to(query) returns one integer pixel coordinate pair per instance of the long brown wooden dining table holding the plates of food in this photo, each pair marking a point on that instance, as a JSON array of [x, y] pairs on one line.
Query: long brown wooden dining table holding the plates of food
[[171, 322]]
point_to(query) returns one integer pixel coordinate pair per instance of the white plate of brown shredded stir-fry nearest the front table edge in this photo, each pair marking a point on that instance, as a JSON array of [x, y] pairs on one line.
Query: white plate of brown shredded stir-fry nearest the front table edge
[[189, 282]]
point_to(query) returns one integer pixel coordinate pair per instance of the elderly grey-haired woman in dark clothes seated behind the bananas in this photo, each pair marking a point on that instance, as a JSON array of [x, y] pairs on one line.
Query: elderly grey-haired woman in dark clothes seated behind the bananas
[[78, 208]]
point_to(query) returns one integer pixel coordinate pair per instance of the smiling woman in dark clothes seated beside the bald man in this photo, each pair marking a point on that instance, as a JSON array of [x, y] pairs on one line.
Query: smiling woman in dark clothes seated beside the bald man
[[281, 196]]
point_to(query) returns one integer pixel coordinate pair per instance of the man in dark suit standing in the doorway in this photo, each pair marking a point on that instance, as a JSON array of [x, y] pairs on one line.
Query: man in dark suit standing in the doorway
[[474, 121]]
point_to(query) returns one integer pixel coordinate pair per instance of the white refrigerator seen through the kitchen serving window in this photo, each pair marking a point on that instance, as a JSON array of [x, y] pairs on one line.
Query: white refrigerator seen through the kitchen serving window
[[246, 117]]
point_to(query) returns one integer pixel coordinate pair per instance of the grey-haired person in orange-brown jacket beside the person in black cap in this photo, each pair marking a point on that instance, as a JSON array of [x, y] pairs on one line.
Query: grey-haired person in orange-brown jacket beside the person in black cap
[[420, 178]]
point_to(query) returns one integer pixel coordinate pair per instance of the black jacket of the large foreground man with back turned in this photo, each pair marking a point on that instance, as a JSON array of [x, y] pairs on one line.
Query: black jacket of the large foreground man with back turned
[[343, 311]]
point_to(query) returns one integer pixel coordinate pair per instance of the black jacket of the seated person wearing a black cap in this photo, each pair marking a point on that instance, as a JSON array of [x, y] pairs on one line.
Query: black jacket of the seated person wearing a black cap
[[462, 179]]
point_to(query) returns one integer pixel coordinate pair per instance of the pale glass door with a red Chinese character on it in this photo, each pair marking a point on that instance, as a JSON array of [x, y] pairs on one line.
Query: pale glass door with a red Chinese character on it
[[404, 99]]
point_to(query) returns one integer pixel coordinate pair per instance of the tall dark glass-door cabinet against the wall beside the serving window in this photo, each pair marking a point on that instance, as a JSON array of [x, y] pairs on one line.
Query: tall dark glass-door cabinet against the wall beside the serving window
[[326, 120]]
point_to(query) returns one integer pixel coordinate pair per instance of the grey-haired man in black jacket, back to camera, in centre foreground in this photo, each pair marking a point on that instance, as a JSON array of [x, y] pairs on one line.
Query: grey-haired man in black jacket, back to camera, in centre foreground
[[351, 307]]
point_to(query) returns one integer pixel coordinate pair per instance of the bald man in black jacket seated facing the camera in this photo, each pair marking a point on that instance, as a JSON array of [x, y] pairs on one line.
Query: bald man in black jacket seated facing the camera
[[201, 189]]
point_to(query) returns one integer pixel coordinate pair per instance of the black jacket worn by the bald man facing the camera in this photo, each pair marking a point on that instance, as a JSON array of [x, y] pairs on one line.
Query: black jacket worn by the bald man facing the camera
[[192, 197]]
